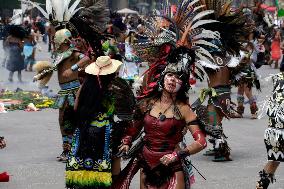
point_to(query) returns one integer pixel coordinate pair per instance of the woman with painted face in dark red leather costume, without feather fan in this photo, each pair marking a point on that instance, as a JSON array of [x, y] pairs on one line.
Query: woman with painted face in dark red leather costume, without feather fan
[[164, 114]]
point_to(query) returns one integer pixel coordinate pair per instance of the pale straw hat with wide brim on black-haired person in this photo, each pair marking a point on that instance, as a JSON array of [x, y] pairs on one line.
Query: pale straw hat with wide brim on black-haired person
[[104, 65]]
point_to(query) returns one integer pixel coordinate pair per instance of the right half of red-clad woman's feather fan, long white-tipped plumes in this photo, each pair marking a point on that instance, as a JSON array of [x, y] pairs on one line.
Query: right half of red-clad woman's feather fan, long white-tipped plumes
[[190, 19]]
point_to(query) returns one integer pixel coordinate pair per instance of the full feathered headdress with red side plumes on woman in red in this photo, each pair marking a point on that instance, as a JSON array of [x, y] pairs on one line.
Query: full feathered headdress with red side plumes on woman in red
[[176, 32]]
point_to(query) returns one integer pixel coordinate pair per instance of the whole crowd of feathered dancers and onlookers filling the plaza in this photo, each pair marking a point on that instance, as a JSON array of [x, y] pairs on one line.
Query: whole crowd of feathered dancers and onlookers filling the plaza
[[109, 112]]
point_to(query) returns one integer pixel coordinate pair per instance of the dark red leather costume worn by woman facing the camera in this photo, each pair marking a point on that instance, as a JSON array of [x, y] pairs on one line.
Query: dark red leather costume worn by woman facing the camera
[[161, 138]]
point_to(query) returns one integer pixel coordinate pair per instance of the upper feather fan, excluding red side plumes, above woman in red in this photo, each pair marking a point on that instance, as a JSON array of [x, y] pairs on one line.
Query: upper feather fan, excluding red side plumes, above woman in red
[[184, 28]]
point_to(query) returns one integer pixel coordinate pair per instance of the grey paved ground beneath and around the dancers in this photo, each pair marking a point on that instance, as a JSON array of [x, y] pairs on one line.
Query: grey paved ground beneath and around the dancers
[[33, 142]]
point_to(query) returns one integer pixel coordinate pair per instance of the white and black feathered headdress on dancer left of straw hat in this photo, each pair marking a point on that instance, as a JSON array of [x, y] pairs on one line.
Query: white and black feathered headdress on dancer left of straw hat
[[84, 18]]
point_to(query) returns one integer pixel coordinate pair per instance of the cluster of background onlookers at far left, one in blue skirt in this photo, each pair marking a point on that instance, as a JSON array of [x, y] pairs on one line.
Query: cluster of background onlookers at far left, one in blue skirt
[[20, 43]]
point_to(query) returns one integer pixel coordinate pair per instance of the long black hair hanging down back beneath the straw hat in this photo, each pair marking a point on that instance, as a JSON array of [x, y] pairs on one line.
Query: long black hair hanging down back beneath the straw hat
[[91, 96]]
